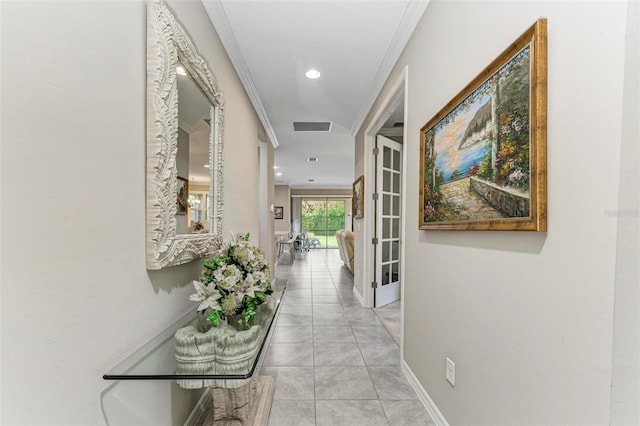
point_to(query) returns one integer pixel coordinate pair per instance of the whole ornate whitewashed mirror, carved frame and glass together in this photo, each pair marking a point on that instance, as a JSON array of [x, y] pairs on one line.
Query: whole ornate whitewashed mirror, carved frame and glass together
[[185, 123]]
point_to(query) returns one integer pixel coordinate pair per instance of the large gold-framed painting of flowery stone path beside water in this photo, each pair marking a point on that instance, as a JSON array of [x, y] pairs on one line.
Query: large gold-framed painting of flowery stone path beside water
[[484, 155]]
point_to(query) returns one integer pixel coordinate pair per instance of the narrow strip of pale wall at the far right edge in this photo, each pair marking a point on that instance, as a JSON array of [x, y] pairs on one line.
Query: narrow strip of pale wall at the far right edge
[[625, 389]]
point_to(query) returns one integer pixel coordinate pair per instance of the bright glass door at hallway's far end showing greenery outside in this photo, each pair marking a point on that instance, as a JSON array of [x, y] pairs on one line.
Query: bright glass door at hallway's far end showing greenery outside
[[321, 218]]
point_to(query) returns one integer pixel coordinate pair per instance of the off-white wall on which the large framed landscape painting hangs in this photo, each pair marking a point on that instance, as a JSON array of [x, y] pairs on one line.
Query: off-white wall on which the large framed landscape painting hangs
[[526, 317]]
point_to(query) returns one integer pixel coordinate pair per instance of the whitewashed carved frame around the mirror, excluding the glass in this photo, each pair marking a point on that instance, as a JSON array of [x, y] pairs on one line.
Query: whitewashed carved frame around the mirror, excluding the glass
[[168, 43]]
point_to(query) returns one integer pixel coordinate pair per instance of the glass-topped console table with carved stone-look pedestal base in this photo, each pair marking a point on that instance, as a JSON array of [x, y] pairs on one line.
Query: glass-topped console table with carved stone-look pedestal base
[[227, 370]]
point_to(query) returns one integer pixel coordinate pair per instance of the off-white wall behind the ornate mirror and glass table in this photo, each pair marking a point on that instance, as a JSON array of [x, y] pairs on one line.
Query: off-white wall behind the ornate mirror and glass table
[[76, 297]]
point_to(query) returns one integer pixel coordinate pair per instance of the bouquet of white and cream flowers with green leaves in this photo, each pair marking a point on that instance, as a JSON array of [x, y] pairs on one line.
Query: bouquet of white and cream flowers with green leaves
[[235, 281]]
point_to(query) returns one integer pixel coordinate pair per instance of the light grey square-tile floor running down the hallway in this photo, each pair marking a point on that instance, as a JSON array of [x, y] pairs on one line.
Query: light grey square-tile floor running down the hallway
[[332, 360]]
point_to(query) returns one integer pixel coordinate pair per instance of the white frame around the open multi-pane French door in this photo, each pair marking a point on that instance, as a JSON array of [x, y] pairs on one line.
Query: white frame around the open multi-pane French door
[[398, 94]]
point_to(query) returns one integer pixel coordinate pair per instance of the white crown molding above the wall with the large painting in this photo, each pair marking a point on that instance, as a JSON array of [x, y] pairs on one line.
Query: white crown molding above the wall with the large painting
[[410, 19]]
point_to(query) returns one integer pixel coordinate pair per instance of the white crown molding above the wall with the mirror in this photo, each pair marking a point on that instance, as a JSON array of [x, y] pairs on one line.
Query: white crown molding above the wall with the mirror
[[218, 17]]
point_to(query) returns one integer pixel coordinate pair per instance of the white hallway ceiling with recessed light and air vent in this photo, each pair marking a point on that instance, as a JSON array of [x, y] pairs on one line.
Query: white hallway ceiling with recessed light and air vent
[[354, 44]]
